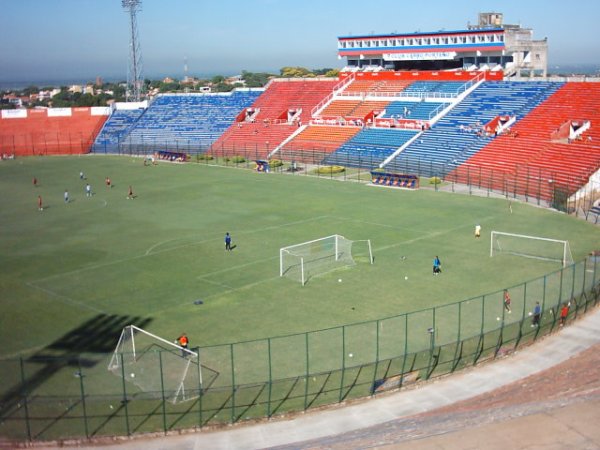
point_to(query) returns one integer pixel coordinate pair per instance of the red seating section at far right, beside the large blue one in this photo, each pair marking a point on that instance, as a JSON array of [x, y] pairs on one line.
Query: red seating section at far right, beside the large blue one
[[530, 160]]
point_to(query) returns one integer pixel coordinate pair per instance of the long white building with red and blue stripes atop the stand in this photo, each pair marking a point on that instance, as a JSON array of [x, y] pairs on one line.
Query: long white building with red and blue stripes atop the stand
[[489, 45]]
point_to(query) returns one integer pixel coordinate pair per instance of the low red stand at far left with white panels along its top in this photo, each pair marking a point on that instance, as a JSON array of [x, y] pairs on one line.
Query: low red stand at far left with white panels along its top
[[50, 131]]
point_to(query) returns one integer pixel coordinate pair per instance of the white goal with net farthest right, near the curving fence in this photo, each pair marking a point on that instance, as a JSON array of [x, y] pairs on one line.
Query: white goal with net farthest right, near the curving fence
[[531, 247]]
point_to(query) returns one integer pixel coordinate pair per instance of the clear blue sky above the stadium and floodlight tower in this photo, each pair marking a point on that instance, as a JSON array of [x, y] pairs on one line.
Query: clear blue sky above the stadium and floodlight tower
[[68, 39]]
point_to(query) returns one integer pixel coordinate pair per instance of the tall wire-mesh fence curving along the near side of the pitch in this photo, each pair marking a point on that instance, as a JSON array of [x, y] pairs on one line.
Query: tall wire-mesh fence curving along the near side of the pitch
[[54, 396]]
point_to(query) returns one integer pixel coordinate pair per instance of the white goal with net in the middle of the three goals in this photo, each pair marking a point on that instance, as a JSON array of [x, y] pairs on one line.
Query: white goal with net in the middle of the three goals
[[303, 261]]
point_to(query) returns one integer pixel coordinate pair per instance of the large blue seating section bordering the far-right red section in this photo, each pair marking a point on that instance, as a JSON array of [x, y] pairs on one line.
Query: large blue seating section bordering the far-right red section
[[458, 135]]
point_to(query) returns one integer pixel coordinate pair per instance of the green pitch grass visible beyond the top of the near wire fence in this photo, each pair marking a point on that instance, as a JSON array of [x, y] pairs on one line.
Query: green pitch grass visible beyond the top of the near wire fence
[[159, 258]]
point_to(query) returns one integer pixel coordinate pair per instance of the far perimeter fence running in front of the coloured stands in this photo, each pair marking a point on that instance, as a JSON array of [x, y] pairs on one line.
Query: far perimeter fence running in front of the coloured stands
[[559, 189]]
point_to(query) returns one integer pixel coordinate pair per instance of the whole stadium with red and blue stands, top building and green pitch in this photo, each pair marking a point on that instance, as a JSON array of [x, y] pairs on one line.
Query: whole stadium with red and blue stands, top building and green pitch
[[338, 193]]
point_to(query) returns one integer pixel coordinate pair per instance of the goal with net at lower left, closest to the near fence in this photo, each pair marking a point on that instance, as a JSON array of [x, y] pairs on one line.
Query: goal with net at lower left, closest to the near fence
[[159, 368]]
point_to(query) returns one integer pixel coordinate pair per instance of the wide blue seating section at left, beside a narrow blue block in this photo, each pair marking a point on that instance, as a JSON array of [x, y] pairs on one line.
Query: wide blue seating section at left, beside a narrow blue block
[[187, 120]]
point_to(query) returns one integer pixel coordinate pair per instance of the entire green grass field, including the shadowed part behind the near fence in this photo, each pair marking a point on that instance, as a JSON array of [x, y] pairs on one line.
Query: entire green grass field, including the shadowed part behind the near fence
[[73, 275]]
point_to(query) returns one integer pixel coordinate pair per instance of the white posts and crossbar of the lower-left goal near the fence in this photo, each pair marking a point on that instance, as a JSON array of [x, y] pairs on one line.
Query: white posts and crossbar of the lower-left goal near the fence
[[128, 333]]
